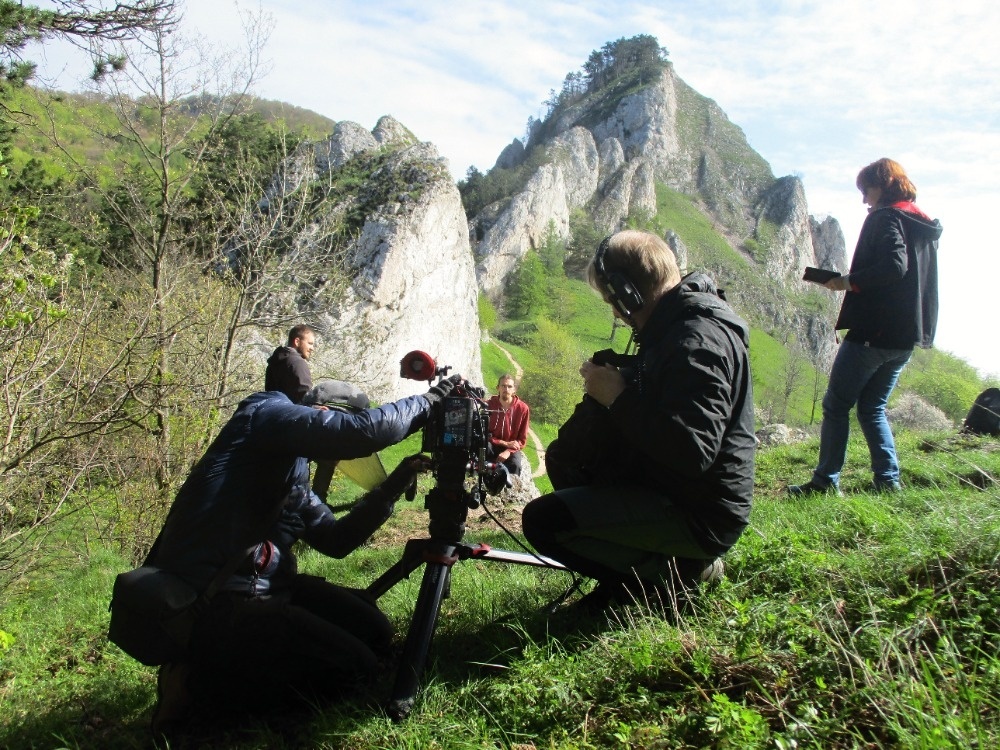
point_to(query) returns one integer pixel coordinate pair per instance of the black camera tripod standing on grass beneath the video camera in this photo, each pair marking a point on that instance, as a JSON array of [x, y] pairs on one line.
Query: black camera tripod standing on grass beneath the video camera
[[448, 504]]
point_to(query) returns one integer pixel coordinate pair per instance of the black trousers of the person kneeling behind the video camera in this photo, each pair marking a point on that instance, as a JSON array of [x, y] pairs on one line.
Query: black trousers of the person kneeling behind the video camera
[[314, 640]]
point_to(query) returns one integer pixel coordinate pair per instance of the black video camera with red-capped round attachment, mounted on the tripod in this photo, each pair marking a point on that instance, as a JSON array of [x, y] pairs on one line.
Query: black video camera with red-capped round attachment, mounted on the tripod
[[457, 434]]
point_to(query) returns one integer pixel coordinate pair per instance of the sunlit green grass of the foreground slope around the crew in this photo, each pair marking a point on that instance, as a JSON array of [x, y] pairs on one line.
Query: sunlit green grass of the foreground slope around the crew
[[865, 621]]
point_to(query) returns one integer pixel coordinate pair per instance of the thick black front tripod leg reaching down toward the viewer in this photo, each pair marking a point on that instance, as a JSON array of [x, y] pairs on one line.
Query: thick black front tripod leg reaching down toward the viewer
[[418, 639]]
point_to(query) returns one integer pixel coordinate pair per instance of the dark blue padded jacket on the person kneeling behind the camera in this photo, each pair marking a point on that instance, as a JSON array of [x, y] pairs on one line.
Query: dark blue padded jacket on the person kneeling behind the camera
[[259, 462]]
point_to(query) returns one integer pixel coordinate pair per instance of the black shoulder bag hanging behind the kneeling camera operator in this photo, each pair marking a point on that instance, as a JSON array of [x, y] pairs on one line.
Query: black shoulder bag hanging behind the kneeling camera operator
[[152, 615]]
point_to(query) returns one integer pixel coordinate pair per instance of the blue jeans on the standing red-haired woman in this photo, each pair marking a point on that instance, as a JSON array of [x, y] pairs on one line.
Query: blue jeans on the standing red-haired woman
[[865, 376]]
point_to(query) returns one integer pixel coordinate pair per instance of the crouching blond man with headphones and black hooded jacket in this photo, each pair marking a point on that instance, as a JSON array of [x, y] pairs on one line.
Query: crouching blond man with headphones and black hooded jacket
[[653, 522]]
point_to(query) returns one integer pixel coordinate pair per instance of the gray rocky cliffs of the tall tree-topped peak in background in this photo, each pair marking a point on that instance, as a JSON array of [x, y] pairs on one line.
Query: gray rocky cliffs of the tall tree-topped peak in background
[[610, 164]]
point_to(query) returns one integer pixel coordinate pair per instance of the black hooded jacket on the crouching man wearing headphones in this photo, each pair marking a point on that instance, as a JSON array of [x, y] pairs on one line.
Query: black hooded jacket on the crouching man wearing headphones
[[687, 416]]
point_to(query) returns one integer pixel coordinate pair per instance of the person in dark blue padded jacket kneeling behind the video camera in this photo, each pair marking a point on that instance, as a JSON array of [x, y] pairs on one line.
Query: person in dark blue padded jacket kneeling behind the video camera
[[272, 634]]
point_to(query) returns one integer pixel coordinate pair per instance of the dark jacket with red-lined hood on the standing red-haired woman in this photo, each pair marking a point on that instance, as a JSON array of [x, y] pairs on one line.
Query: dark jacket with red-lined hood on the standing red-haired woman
[[893, 303]]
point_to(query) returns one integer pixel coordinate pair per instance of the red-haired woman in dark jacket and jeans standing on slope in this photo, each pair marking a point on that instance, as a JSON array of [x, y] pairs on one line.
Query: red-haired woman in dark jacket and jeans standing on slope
[[890, 306]]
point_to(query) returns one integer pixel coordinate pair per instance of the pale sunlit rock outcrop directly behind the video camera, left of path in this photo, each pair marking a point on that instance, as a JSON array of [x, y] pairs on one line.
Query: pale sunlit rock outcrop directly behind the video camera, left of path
[[414, 288]]
